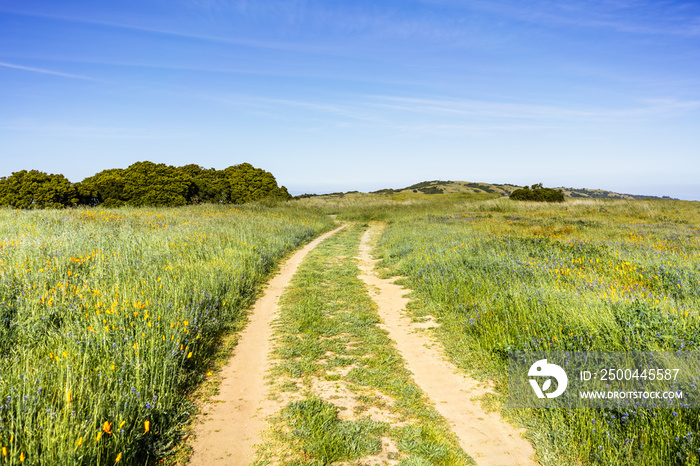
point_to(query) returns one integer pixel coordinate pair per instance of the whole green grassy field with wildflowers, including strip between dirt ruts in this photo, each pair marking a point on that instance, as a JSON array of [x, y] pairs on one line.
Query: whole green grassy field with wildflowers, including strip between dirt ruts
[[109, 319]]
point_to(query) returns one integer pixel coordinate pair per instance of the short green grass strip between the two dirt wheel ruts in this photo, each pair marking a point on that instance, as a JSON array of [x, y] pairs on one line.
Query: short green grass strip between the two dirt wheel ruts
[[327, 337]]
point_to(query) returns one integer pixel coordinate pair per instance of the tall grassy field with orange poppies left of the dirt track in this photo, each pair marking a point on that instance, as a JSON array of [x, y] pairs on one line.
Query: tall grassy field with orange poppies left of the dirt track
[[108, 319]]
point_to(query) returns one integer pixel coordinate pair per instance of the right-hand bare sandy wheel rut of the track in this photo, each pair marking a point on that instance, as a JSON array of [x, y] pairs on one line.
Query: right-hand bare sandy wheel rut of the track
[[485, 436]]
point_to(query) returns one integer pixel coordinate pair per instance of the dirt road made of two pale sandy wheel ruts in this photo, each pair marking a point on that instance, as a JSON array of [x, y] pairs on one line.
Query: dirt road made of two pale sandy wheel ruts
[[235, 418]]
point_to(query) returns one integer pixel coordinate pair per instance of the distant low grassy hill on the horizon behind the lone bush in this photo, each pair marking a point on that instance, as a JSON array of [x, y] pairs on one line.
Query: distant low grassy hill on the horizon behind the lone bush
[[446, 187]]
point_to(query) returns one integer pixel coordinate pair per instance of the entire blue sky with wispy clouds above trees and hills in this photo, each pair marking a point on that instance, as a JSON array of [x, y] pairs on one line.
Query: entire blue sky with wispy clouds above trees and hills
[[341, 95]]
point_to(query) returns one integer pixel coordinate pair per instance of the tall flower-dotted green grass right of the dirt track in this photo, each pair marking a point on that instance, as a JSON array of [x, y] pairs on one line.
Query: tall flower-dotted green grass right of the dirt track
[[584, 275]]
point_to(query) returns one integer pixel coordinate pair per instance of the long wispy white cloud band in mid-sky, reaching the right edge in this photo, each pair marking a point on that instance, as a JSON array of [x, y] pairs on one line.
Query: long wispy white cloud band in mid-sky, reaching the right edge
[[449, 116]]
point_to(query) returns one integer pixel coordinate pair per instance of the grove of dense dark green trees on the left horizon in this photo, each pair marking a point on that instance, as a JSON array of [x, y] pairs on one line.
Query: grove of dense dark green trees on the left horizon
[[141, 184]]
